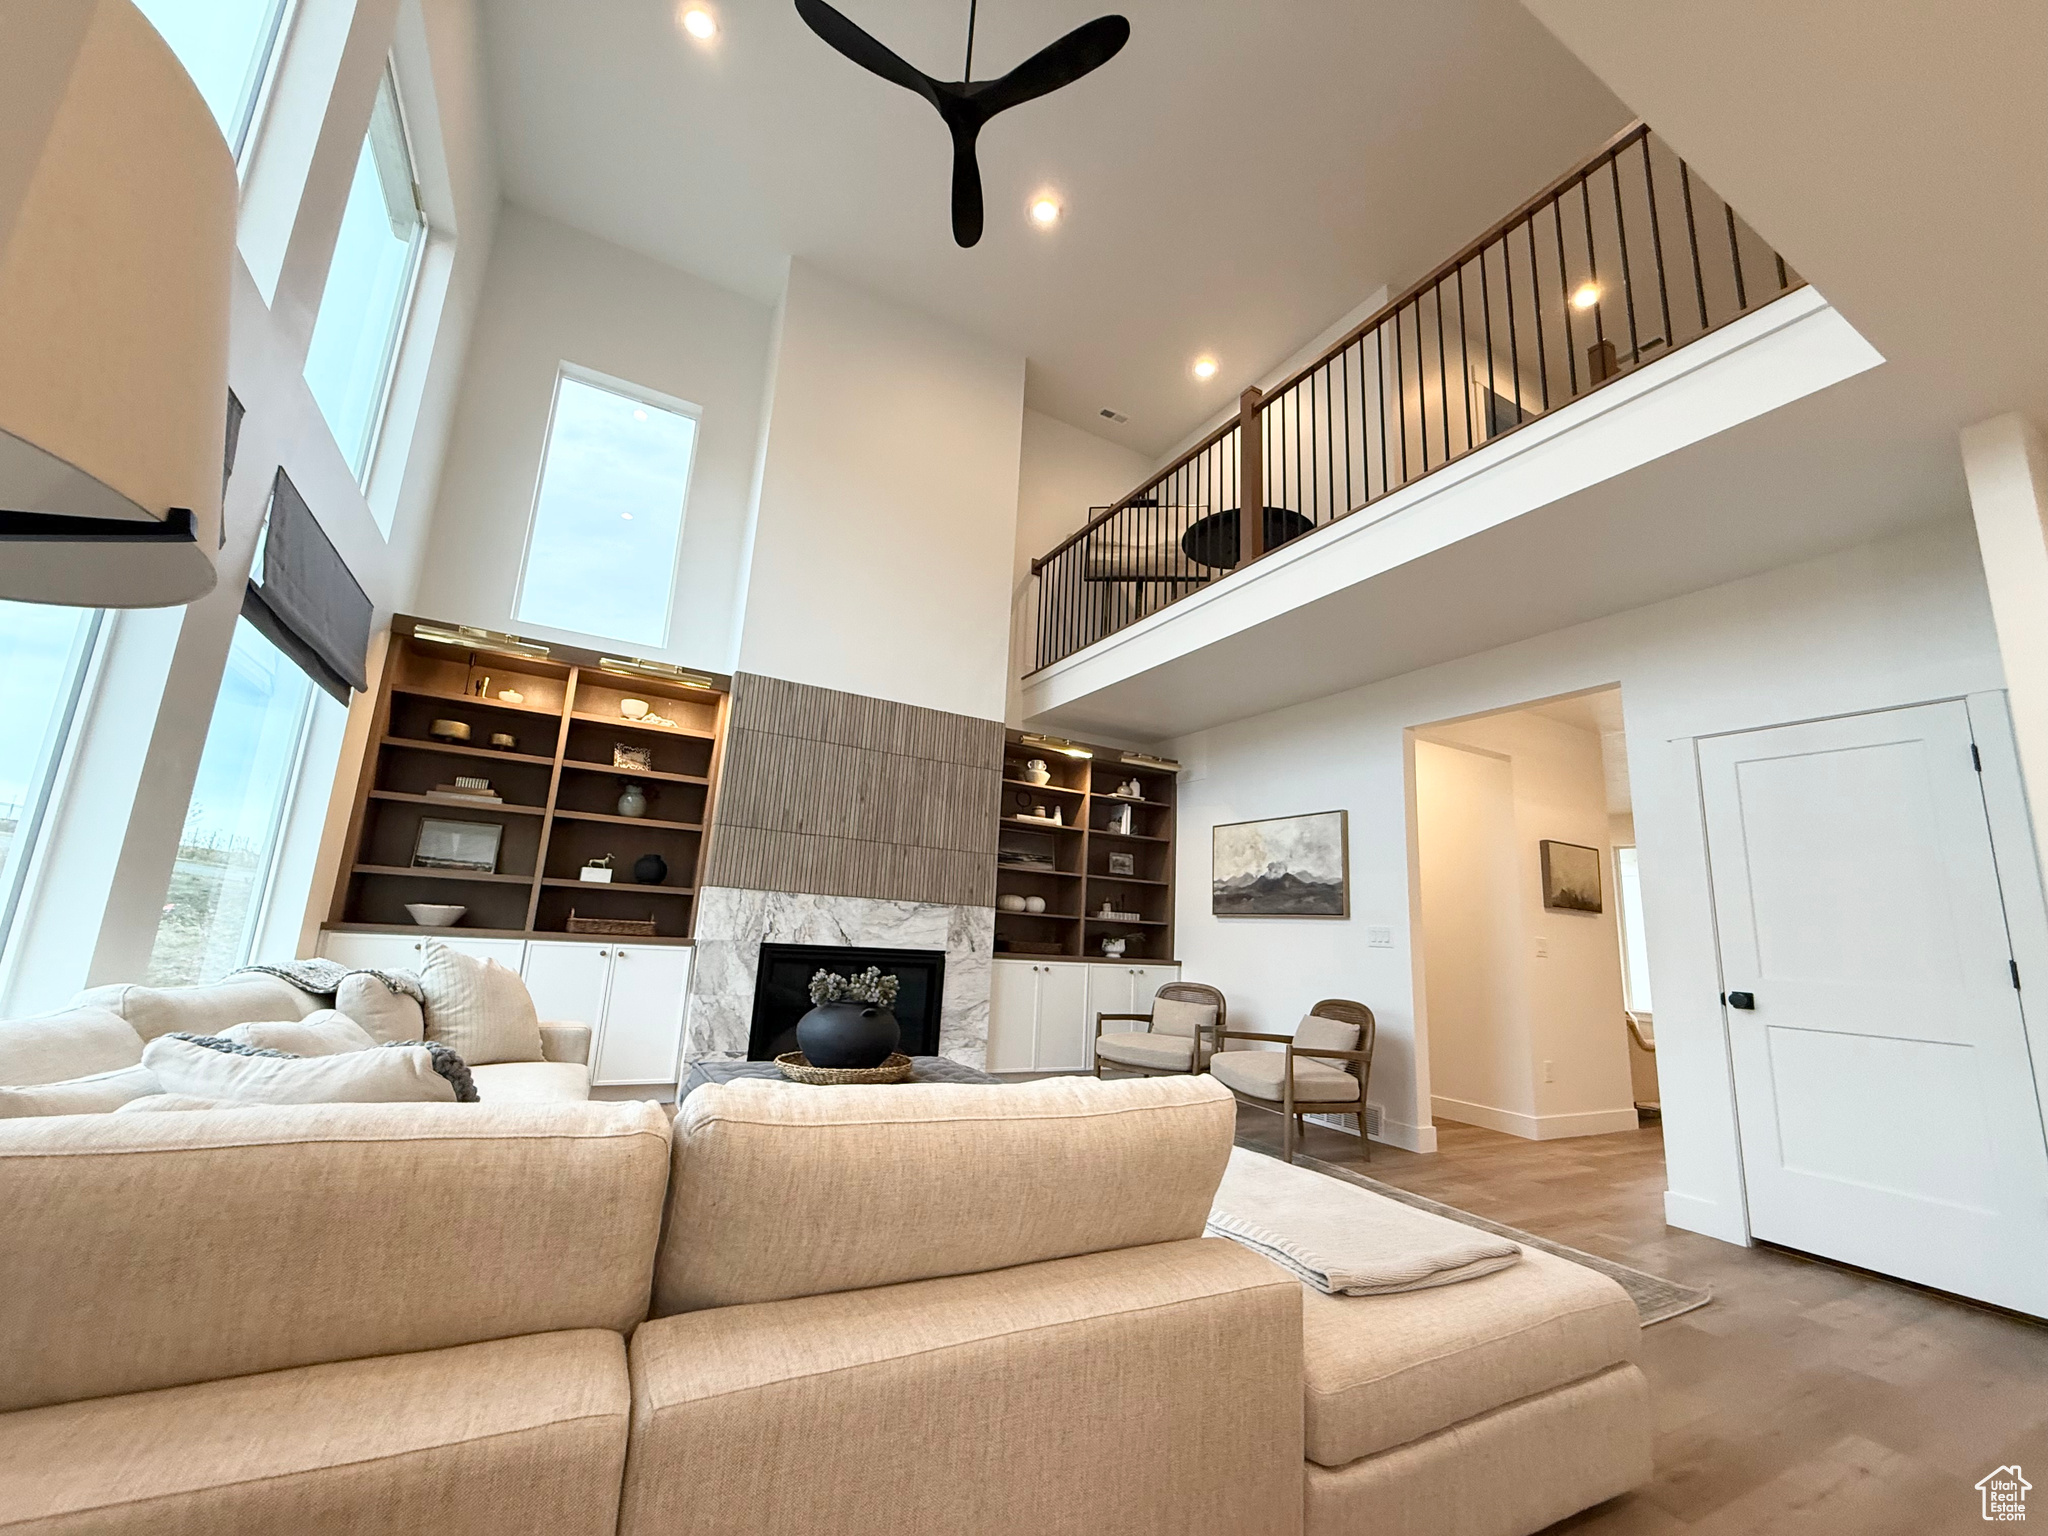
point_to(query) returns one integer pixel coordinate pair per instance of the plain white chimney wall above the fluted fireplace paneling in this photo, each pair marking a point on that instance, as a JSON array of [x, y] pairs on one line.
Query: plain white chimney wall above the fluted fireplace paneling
[[888, 503]]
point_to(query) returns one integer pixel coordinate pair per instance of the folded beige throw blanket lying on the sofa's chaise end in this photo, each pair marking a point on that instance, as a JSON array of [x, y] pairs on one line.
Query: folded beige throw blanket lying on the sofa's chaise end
[[1342, 1240]]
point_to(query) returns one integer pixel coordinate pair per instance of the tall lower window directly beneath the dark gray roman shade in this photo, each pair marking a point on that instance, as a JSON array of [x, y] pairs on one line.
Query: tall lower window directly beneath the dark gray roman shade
[[232, 824]]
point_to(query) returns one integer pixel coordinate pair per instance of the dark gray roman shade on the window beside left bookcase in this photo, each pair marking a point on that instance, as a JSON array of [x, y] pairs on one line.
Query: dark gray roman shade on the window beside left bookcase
[[304, 599]]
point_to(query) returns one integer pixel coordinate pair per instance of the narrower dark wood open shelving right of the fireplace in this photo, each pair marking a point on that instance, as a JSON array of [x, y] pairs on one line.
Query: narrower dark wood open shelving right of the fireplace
[[1070, 865]]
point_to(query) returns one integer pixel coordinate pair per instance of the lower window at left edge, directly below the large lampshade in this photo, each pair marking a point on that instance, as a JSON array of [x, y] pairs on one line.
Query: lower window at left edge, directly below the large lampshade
[[44, 656]]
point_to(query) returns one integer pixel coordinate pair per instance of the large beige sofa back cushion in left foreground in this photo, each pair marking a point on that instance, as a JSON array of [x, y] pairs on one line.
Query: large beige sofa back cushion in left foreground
[[138, 1242]]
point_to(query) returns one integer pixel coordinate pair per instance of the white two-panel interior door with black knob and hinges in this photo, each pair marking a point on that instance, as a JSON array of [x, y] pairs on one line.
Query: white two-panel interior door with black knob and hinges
[[1883, 1078]]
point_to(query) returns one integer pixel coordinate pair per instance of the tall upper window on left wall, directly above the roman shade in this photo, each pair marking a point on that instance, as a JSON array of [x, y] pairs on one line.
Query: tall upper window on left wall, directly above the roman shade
[[370, 286]]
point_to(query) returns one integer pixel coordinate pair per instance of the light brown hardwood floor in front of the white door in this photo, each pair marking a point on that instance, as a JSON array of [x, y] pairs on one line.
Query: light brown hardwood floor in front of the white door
[[1805, 1400]]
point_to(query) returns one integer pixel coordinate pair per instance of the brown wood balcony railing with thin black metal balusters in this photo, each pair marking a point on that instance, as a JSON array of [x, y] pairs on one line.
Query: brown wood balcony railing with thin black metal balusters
[[1607, 269]]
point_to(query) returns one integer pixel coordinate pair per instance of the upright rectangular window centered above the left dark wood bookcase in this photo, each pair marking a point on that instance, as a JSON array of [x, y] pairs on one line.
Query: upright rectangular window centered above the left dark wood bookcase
[[607, 517]]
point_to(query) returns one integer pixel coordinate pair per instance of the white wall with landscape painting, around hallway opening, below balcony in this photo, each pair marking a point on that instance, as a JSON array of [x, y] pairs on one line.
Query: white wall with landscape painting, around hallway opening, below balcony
[[1881, 626]]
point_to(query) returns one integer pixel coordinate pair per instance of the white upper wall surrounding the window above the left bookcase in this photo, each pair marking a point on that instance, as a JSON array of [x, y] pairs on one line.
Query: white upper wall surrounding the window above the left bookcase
[[560, 296]]
